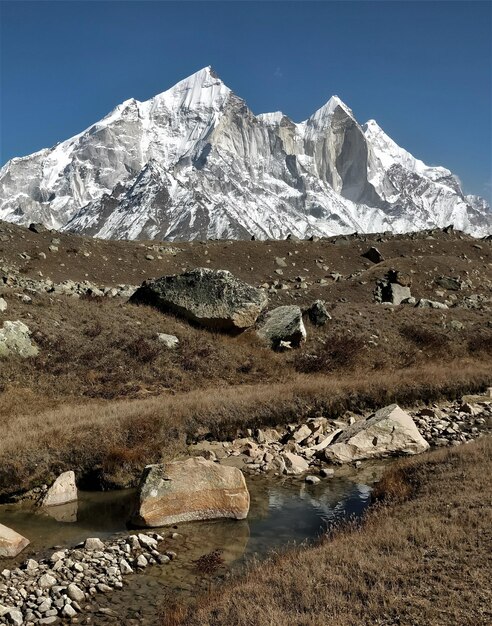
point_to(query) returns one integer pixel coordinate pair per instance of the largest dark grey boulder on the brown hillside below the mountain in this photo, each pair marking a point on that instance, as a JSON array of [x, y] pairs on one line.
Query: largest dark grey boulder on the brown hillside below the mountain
[[212, 298]]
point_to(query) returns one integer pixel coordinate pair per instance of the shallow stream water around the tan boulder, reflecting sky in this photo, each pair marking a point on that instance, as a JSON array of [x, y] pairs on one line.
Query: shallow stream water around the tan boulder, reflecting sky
[[282, 512]]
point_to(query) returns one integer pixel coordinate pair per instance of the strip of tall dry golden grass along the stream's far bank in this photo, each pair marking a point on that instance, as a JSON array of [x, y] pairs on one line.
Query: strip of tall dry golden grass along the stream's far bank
[[108, 443]]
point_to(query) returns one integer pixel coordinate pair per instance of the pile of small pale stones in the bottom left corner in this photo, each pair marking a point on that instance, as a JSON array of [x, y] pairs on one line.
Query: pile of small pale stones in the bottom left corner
[[41, 592]]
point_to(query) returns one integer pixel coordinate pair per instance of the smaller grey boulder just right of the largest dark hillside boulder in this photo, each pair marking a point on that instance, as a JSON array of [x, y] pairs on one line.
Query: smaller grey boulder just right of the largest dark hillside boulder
[[283, 324]]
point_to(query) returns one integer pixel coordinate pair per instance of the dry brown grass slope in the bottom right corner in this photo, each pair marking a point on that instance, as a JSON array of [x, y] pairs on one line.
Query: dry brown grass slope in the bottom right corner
[[424, 560]]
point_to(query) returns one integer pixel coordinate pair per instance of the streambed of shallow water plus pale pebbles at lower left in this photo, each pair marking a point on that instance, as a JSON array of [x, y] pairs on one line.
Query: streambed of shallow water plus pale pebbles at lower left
[[115, 576]]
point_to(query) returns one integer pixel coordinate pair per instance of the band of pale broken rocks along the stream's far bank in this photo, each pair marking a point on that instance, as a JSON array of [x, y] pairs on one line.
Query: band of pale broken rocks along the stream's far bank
[[297, 448]]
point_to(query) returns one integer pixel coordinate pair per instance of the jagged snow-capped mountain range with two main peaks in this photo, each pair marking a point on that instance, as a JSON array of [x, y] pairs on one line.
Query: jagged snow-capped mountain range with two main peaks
[[194, 162]]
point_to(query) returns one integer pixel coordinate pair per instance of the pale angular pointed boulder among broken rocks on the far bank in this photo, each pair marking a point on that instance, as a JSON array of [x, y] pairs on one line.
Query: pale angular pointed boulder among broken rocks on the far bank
[[390, 431]]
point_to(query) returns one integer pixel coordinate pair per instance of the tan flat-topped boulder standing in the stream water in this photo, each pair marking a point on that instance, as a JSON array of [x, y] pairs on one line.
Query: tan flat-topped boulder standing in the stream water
[[195, 489]]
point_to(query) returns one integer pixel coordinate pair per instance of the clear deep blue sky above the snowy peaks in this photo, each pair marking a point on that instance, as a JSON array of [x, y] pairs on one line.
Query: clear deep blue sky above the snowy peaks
[[421, 69]]
